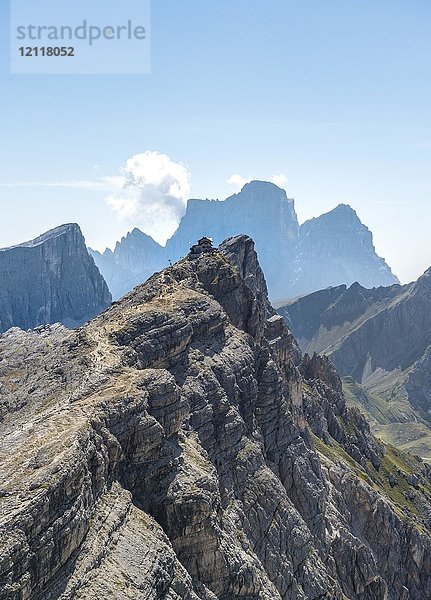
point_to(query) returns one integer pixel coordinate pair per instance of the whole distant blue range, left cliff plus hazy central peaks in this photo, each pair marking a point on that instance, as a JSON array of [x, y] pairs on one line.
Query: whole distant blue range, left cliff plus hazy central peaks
[[55, 278]]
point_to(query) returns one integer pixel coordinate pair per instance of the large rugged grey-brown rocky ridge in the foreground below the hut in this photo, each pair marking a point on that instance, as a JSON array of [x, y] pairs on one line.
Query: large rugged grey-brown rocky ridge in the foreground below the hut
[[178, 446]]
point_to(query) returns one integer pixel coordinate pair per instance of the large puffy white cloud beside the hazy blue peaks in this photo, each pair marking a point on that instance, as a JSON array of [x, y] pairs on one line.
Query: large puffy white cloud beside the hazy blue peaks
[[153, 195]]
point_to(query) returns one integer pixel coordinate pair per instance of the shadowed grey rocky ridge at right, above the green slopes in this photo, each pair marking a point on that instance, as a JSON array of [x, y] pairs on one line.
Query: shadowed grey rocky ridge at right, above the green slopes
[[365, 330]]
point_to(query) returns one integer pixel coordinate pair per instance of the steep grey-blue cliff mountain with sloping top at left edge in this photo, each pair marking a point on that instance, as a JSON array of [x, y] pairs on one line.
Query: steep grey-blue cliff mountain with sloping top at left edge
[[50, 279]]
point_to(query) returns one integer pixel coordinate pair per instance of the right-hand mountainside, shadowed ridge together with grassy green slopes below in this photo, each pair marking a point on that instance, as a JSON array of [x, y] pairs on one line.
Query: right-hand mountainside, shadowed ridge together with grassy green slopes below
[[380, 342]]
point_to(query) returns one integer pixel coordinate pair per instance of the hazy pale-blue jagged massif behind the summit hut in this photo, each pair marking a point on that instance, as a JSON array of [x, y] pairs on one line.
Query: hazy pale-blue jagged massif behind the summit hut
[[329, 250]]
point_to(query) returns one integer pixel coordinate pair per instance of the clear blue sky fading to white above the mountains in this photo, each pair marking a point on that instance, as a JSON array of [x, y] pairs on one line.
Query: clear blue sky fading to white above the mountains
[[336, 95]]
